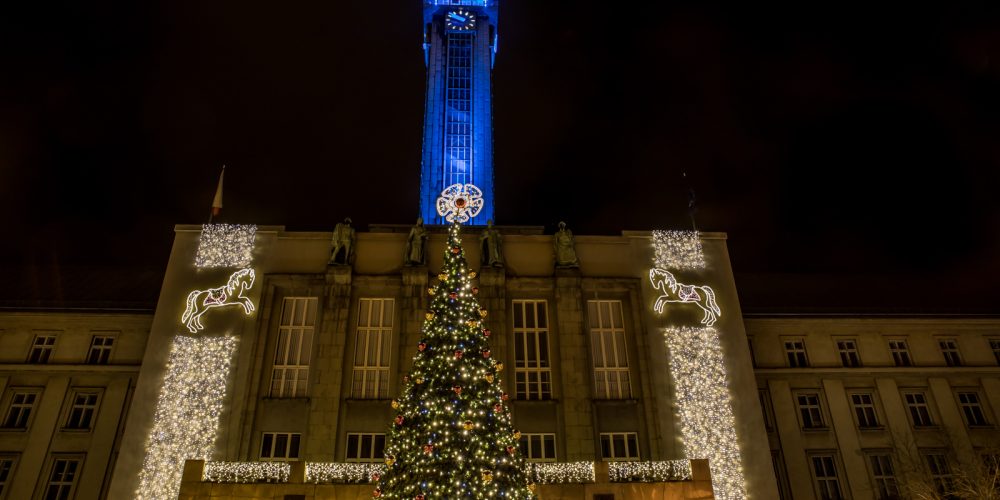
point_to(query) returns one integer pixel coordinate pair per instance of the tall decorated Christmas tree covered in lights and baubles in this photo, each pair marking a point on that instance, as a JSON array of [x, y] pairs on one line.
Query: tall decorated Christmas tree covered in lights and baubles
[[452, 436]]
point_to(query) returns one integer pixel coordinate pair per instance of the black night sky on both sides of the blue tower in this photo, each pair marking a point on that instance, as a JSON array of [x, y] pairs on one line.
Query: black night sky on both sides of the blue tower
[[850, 154]]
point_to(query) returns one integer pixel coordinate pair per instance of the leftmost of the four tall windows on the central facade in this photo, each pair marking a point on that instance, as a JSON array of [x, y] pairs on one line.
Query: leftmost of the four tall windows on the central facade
[[290, 377]]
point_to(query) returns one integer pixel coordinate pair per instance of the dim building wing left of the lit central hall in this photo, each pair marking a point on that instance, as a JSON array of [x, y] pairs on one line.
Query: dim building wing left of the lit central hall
[[66, 382]]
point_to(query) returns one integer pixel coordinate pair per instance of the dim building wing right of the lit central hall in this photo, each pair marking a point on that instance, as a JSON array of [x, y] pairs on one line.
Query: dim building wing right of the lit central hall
[[864, 406]]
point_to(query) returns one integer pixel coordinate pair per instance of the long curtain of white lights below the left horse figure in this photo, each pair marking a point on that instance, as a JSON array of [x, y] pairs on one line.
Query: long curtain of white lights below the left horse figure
[[187, 414]]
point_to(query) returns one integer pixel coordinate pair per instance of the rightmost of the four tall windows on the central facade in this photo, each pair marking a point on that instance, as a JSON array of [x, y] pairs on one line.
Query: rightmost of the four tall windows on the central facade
[[607, 337]]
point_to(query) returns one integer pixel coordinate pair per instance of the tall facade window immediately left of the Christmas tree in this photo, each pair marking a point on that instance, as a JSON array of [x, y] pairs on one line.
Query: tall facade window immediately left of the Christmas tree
[[371, 350]]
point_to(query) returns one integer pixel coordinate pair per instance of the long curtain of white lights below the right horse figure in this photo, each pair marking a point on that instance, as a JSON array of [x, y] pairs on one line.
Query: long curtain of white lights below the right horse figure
[[704, 406]]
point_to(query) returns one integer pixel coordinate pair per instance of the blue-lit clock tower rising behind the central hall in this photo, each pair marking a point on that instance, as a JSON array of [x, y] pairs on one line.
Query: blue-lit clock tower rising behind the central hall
[[460, 41]]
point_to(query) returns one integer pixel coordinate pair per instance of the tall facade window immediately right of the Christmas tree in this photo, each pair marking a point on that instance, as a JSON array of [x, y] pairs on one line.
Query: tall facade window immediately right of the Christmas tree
[[532, 370]]
